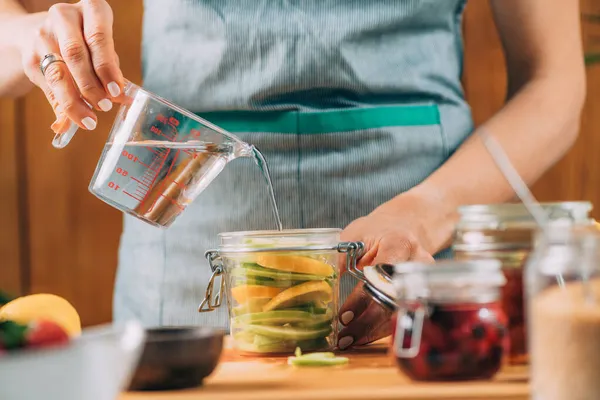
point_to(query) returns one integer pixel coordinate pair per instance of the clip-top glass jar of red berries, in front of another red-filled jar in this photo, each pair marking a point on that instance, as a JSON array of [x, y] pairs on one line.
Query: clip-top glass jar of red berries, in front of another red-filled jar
[[450, 324]]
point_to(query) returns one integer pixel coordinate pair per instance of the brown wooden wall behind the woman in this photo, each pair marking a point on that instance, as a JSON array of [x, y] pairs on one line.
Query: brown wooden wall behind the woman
[[56, 237]]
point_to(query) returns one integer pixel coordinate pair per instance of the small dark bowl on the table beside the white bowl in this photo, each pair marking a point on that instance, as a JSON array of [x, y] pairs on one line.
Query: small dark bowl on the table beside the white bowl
[[177, 358]]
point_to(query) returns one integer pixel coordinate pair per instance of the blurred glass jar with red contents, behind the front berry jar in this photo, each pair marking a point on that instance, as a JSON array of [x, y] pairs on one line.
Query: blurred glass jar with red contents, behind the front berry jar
[[505, 232]]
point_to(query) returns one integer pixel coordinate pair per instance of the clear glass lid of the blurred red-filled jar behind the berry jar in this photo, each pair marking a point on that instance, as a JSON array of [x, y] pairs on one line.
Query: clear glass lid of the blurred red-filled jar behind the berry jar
[[516, 214]]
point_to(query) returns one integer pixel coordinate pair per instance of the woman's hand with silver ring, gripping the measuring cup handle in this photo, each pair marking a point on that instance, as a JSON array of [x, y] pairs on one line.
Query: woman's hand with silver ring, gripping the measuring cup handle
[[82, 35]]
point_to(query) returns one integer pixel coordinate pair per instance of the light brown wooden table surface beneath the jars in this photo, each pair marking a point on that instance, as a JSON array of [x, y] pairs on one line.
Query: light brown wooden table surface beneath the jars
[[371, 374]]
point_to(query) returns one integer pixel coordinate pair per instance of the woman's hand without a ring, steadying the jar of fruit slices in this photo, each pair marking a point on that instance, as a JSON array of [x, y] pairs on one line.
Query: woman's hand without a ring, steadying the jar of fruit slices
[[404, 229]]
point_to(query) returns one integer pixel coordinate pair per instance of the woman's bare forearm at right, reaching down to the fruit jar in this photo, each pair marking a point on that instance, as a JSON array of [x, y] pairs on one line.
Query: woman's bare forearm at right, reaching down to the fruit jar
[[535, 128]]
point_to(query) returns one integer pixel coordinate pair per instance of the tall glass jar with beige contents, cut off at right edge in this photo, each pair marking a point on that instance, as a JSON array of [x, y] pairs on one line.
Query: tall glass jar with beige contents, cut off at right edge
[[563, 292]]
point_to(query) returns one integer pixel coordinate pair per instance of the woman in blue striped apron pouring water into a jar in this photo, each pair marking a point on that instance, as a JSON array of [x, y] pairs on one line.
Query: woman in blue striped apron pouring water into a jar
[[382, 144]]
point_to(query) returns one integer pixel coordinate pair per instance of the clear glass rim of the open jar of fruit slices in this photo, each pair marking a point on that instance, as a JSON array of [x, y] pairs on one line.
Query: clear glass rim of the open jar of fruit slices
[[295, 239]]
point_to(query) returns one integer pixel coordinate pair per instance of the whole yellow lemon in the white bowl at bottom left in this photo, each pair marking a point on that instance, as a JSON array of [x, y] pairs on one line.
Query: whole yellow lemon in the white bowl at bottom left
[[26, 309]]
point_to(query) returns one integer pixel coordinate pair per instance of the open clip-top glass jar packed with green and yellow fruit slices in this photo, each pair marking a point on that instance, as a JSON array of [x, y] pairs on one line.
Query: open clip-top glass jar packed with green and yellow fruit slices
[[281, 288]]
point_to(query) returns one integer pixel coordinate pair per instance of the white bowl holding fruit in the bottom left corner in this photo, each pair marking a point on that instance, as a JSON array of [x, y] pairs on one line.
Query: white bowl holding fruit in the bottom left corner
[[98, 365]]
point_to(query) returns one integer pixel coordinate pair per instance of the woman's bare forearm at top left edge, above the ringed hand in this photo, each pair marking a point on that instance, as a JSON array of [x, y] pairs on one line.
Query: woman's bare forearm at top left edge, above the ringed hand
[[16, 26]]
